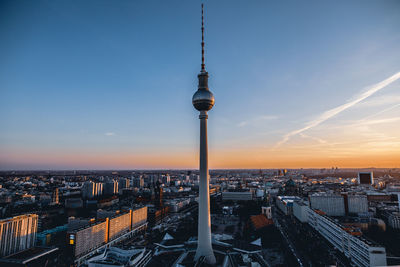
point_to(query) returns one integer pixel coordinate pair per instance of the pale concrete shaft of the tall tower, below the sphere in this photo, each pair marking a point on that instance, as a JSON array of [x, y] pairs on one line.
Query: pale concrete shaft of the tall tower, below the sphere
[[204, 246]]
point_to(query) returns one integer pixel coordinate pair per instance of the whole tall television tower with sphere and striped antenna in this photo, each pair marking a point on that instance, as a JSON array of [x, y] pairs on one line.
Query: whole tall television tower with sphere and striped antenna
[[203, 101]]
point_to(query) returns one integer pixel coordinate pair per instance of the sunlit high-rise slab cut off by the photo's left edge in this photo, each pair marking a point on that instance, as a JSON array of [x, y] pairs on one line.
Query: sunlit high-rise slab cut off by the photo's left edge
[[17, 233]]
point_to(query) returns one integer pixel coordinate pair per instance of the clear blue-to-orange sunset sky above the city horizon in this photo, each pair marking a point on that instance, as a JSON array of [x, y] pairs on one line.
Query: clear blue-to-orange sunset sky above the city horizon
[[86, 83]]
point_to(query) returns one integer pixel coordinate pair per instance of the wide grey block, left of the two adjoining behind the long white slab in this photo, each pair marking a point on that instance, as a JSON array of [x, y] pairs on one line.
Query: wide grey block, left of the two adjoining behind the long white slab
[[332, 205]]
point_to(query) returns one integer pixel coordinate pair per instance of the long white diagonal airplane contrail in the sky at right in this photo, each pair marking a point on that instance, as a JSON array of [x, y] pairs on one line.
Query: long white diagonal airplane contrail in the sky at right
[[333, 112]]
